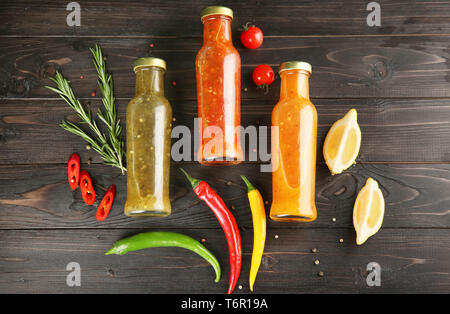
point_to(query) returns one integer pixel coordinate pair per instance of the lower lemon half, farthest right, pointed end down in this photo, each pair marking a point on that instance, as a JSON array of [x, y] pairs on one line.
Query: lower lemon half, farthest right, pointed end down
[[368, 211]]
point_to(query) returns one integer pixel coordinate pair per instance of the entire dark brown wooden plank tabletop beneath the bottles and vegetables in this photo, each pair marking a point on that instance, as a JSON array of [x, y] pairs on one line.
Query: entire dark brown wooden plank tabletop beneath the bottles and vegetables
[[396, 75]]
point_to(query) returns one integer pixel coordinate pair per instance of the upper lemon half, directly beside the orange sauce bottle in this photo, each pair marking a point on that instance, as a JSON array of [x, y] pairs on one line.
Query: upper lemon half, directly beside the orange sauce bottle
[[342, 143]]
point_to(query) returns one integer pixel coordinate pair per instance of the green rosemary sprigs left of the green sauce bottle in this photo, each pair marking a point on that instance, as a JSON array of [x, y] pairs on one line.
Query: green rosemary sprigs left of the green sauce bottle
[[112, 151]]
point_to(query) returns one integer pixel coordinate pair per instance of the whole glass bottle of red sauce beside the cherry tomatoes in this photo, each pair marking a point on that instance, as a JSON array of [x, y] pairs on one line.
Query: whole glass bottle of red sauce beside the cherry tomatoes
[[218, 71]]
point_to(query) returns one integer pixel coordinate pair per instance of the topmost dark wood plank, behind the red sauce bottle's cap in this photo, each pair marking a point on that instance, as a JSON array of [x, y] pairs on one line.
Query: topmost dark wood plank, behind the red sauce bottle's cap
[[281, 18]]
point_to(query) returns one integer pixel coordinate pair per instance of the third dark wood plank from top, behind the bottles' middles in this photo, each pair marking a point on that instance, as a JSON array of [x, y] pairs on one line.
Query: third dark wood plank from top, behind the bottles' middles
[[393, 130]]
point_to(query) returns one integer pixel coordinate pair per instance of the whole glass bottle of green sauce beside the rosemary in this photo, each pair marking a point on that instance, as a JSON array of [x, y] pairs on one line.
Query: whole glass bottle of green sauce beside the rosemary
[[149, 124]]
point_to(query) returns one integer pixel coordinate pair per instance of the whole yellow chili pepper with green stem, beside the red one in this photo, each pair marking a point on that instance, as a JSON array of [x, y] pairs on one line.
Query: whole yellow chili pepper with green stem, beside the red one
[[259, 228]]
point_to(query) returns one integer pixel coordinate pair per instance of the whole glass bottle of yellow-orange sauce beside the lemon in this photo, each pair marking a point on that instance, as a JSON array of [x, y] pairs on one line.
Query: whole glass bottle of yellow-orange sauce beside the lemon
[[294, 142]]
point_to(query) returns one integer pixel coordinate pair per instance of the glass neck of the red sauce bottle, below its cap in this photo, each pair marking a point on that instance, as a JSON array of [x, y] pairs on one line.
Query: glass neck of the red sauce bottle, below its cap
[[217, 28]]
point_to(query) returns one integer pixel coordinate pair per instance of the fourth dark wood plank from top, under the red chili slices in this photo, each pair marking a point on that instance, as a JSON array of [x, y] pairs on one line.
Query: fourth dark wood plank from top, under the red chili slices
[[39, 197]]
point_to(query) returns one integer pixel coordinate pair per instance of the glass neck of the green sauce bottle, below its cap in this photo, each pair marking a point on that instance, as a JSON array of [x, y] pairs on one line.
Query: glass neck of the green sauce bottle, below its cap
[[150, 80]]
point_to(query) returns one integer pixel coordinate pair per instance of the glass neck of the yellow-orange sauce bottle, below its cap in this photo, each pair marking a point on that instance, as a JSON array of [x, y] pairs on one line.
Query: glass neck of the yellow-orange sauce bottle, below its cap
[[294, 83]]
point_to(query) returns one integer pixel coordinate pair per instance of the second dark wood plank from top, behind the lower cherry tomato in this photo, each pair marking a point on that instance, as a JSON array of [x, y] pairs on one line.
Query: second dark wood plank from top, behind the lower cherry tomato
[[350, 67]]
